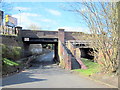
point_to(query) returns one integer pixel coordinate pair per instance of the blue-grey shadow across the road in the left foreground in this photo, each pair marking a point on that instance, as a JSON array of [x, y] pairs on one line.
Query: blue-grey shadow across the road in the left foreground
[[24, 77]]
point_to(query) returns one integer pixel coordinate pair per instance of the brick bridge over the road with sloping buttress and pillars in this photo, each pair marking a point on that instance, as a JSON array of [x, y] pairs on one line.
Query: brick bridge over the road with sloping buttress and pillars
[[69, 46]]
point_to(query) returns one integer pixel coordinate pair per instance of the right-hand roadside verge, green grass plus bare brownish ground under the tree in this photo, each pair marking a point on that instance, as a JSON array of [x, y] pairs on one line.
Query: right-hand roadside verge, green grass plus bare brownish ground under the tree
[[95, 72]]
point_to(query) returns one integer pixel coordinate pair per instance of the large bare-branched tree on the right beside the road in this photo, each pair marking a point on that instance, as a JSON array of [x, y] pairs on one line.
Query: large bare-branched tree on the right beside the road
[[102, 20]]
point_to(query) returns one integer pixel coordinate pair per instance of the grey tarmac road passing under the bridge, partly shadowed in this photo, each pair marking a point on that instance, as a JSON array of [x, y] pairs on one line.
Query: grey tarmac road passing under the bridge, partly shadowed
[[45, 74]]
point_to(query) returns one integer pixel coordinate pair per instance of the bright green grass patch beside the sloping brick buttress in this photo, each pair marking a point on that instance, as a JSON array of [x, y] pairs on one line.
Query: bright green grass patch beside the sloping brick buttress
[[92, 67]]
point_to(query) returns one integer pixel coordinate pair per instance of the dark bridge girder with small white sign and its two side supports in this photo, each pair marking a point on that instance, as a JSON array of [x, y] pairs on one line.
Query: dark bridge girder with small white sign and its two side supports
[[28, 41]]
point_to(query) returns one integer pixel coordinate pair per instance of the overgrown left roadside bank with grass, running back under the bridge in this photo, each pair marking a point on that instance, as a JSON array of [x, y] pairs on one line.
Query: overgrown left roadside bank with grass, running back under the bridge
[[11, 60]]
